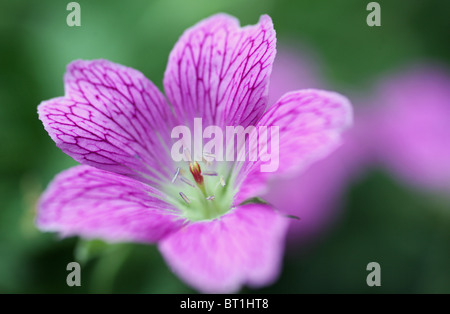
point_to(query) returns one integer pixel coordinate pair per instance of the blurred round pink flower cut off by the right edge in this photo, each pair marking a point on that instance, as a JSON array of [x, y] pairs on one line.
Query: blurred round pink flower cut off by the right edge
[[413, 115]]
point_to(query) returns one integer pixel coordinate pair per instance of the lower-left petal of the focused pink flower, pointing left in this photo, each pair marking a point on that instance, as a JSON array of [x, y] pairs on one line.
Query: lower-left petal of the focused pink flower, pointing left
[[93, 203]]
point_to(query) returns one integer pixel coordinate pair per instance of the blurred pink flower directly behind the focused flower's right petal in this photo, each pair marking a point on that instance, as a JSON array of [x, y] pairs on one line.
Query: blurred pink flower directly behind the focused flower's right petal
[[315, 195]]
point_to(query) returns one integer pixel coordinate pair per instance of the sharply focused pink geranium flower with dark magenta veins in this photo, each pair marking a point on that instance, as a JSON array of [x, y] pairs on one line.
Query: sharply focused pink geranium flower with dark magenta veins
[[118, 125]]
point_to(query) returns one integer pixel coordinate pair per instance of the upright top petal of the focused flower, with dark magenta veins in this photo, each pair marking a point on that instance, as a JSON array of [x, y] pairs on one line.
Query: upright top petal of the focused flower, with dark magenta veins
[[220, 71]]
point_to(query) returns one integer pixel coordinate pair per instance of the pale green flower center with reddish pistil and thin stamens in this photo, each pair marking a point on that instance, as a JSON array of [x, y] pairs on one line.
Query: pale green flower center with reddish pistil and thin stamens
[[201, 190]]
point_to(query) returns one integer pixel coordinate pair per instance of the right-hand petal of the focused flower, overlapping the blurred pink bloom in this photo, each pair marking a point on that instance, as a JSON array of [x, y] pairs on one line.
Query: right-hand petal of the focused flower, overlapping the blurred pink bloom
[[310, 124]]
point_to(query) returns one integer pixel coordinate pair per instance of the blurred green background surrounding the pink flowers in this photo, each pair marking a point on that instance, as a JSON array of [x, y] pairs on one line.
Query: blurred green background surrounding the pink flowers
[[380, 218]]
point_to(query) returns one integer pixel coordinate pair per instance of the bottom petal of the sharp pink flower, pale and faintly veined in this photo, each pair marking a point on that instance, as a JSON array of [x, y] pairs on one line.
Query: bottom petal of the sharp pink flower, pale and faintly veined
[[242, 247]]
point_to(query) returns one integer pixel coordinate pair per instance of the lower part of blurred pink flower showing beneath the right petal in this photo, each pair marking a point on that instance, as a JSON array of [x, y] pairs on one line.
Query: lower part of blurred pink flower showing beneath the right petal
[[316, 196]]
